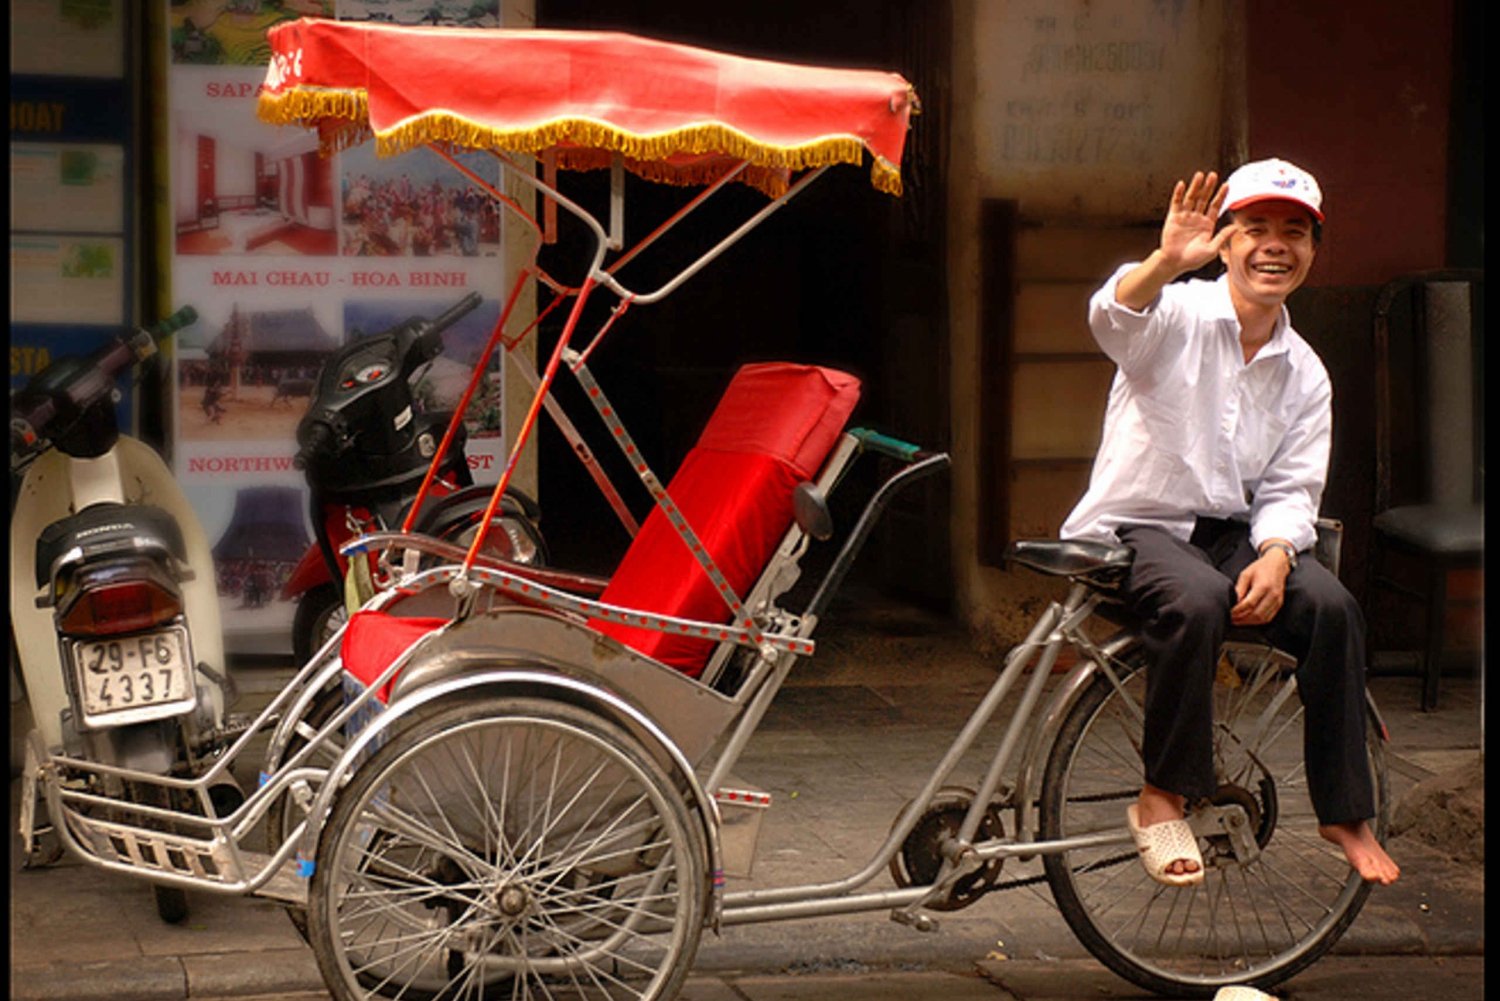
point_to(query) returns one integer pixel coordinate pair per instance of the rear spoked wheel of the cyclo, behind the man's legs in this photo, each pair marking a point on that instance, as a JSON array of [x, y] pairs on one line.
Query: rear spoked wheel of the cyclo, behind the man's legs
[[1256, 919]]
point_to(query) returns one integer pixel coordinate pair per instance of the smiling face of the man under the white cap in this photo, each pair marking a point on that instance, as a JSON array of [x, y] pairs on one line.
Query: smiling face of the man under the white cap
[[1271, 251]]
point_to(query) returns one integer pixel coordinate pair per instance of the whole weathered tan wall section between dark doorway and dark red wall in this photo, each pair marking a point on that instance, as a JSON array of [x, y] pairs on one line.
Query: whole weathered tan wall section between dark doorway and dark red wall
[[1084, 116]]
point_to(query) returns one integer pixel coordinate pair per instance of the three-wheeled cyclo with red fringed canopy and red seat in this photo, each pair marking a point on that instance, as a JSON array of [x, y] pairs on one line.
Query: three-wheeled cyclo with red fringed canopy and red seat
[[512, 781]]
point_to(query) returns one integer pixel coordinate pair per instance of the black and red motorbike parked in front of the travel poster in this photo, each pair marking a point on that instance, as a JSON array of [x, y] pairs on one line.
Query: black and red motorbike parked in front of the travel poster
[[365, 448]]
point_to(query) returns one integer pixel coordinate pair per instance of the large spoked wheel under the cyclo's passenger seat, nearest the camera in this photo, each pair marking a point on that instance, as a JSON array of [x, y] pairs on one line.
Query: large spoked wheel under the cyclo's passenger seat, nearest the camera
[[509, 849]]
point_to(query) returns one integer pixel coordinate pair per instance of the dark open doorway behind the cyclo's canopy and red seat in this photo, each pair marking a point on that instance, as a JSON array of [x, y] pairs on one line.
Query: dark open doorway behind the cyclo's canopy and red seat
[[844, 277]]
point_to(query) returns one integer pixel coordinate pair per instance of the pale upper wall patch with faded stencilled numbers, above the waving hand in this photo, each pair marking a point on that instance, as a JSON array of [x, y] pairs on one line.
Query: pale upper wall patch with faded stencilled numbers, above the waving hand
[[1094, 110]]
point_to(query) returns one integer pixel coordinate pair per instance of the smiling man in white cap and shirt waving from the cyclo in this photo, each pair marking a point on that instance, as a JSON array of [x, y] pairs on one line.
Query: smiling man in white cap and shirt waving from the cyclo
[[1211, 470]]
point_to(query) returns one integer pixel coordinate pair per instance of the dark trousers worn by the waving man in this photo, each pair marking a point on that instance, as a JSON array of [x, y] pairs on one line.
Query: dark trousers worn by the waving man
[[1183, 594]]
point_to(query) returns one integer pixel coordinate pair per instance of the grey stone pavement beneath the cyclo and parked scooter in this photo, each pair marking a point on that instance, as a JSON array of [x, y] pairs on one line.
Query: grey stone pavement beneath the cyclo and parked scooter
[[847, 744]]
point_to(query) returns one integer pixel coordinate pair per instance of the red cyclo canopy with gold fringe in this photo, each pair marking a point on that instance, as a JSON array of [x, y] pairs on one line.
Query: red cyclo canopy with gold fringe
[[676, 113]]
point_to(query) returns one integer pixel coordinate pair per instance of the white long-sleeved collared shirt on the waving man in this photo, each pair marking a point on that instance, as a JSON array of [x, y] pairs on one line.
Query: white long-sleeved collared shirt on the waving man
[[1195, 430]]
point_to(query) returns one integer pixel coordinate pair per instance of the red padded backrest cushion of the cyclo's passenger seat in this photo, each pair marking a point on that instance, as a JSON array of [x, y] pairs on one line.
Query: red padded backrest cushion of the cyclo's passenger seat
[[773, 430]]
